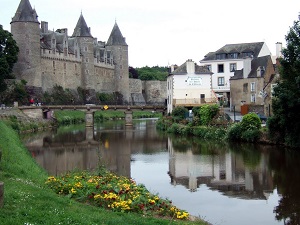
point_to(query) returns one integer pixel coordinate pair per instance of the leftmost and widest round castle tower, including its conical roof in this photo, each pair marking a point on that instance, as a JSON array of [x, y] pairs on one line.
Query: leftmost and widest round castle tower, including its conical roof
[[26, 32]]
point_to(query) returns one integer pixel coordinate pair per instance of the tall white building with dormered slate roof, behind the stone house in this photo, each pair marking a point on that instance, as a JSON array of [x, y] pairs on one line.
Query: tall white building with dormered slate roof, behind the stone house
[[223, 62]]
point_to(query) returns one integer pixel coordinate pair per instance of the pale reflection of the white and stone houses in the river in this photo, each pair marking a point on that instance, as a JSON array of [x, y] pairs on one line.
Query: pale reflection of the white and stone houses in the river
[[225, 172]]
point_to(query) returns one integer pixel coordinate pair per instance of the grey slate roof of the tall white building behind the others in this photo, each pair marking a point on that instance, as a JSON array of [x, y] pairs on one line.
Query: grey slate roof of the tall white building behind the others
[[253, 47]]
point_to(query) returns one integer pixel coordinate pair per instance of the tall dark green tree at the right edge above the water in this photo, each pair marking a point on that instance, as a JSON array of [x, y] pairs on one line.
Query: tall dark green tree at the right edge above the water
[[284, 125]]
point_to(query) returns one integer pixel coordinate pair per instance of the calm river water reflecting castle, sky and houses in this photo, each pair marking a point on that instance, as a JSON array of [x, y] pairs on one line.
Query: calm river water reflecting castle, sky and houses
[[224, 184]]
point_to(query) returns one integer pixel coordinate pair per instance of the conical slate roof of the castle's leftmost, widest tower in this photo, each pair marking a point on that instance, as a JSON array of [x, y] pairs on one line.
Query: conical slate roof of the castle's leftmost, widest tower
[[25, 13]]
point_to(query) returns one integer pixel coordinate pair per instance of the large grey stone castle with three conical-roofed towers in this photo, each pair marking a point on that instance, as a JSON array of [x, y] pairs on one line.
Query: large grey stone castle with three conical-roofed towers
[[48, 58]]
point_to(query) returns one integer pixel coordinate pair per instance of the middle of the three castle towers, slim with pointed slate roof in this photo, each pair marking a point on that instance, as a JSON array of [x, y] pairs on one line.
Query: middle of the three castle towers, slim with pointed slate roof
[[86, 44]]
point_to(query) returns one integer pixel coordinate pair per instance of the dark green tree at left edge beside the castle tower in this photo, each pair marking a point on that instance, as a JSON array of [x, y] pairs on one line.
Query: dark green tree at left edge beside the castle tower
[[8, 56]]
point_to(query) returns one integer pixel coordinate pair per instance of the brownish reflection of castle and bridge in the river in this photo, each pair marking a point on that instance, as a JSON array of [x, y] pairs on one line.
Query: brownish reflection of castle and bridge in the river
[[83, 150]]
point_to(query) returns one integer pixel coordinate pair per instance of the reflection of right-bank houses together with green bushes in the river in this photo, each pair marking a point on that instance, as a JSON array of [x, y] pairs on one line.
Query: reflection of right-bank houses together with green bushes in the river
[[227, 168]]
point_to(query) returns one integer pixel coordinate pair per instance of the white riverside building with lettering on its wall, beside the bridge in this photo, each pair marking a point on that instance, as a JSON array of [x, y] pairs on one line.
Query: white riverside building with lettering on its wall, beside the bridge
[[189, 85]]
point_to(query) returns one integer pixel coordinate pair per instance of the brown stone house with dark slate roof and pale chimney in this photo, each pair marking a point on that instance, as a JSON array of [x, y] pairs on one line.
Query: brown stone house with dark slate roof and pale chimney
[[251, 87]]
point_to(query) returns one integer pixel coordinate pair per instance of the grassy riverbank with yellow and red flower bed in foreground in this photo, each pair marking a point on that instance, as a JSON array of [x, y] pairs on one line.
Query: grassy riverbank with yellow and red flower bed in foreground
[[28, 198]]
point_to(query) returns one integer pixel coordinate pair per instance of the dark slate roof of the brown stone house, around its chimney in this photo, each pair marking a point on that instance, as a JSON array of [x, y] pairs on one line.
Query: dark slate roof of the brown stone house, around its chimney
[[255, 63]]
